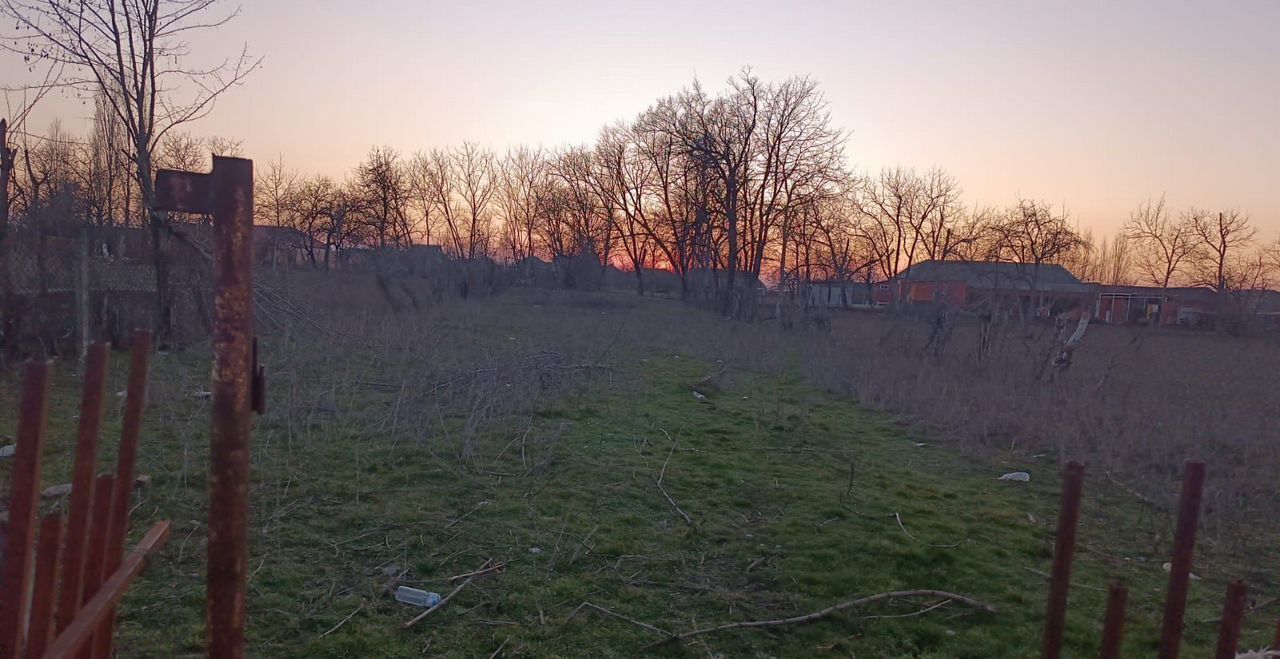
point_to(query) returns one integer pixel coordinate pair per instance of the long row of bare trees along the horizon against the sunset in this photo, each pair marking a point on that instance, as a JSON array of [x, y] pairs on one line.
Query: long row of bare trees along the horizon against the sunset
[[723, 189]]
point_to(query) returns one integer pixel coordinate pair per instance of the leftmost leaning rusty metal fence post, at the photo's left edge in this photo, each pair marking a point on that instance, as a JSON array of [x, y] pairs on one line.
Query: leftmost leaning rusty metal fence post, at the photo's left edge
[[24, 501]]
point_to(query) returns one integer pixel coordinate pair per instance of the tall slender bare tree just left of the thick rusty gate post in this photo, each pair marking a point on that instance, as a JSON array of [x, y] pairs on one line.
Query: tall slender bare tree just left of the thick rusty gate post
[[136, 53]]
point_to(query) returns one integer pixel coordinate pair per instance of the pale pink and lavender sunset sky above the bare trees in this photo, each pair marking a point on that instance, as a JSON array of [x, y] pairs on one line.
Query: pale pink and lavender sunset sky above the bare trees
[[1095, 106]]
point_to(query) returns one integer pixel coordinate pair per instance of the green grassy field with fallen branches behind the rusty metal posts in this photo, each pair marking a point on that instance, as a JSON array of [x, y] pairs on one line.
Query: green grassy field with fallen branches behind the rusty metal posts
[[533, 429]]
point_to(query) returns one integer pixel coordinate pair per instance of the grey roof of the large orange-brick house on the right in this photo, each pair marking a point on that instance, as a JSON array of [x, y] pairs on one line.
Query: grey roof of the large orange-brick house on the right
[[998, 276]]
